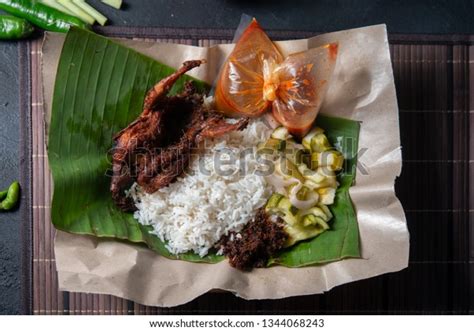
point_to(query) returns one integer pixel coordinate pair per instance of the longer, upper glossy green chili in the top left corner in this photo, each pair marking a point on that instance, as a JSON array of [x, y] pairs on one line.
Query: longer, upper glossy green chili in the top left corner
[[41, 15]]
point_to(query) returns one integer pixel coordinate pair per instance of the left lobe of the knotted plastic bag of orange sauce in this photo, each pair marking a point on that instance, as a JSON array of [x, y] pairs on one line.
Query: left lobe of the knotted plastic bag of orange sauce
[[239, 89]]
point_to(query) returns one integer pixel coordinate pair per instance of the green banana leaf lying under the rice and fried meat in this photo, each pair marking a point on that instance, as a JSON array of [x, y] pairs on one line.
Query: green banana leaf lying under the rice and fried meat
[[100, 87]]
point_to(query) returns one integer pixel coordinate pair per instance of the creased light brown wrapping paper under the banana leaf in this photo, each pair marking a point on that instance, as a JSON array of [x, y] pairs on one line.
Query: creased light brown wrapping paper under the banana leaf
[[362, 89]]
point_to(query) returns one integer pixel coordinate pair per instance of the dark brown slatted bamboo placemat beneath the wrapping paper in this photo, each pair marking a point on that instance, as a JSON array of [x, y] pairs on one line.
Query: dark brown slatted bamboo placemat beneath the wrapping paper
[[434, 77]]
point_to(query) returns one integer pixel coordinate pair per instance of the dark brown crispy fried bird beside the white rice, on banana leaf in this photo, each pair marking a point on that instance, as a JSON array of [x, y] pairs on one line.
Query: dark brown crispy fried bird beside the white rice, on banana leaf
[[156, 148]]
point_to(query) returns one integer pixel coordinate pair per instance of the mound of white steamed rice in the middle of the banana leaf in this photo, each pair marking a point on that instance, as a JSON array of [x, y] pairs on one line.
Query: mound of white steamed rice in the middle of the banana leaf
[[194, 212]]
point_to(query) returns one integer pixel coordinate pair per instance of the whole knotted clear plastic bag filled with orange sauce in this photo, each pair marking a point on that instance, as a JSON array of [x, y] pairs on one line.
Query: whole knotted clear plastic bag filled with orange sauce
[[256, 78]]
